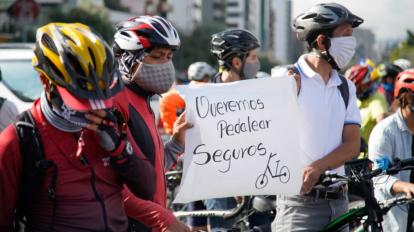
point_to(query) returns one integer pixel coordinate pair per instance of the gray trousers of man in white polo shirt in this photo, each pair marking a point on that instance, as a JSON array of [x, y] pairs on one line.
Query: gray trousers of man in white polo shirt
[[303, 213]]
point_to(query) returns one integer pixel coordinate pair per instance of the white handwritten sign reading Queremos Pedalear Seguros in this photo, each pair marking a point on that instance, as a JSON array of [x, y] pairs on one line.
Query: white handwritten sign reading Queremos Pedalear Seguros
[[244, 141]]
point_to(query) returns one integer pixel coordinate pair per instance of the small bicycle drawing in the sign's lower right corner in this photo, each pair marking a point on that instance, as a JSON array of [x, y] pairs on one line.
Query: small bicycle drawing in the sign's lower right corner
[[283, 175]]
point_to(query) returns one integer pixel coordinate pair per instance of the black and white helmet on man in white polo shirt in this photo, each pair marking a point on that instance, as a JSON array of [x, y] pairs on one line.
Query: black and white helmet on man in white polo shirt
[[321, 17]]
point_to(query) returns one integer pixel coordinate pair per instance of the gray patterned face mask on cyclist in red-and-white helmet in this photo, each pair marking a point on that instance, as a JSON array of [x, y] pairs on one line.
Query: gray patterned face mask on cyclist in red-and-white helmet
[[155, 78]]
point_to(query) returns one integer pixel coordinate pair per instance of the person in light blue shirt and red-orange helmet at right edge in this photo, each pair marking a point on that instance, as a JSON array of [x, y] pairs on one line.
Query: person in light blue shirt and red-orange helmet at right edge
[[393, 138]]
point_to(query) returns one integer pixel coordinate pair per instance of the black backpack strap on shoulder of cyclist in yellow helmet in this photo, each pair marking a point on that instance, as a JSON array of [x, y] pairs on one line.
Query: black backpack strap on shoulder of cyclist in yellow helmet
[[34, 167]]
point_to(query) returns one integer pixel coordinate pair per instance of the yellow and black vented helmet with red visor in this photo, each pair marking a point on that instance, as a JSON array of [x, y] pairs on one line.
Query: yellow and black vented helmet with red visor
[[73, 57]]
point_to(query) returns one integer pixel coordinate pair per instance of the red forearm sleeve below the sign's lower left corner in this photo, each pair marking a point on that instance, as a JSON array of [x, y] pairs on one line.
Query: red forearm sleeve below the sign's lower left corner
[[149, 213]]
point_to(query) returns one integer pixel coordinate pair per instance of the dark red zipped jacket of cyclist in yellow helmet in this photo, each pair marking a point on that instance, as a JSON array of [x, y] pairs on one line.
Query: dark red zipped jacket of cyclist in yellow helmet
[[88, 195]]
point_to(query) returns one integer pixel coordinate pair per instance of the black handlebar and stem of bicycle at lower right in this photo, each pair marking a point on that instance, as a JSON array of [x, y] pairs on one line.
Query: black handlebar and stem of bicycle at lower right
[[371, 214]]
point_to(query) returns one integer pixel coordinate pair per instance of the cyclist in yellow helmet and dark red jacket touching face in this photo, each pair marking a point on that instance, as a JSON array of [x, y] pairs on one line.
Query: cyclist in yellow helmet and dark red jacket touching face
[[82, 138]]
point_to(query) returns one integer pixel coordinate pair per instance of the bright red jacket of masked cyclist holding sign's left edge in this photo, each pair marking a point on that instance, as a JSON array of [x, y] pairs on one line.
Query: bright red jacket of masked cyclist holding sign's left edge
[[134, 103]]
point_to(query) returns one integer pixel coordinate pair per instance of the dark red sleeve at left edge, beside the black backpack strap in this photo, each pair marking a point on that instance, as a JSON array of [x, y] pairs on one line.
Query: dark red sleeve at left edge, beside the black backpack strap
[[10, 165]]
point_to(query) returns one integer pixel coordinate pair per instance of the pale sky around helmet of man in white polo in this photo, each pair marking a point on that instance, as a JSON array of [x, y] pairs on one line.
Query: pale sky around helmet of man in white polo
[[388, 19]]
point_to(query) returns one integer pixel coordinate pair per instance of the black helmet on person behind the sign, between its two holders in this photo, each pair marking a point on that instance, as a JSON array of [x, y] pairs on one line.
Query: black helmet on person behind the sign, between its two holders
[[233, 42]]
